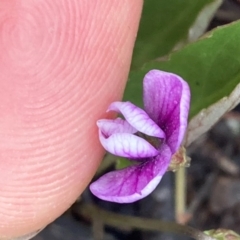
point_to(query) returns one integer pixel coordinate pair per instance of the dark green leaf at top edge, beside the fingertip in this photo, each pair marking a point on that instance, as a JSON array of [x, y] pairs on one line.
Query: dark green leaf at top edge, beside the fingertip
[[164, 23]]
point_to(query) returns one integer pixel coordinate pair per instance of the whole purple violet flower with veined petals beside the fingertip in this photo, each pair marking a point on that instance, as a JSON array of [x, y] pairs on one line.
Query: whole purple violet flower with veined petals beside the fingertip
[[149, 137]]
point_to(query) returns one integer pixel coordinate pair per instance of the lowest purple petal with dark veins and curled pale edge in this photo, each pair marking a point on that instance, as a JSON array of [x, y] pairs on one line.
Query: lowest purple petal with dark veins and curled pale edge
[[132, 183]]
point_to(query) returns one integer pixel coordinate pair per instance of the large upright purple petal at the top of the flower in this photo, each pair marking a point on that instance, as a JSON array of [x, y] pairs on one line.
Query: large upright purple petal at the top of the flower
[[166, 100]]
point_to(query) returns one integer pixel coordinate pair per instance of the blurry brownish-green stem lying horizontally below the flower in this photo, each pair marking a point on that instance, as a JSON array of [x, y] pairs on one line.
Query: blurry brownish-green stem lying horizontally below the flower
[[120, 221]]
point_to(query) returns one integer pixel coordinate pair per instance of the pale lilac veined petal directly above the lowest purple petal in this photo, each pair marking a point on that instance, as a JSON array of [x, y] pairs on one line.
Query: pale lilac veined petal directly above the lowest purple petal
[[127, 145]]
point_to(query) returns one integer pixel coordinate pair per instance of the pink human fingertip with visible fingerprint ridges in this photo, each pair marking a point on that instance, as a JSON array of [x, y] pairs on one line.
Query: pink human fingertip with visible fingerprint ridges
[[62, 63]]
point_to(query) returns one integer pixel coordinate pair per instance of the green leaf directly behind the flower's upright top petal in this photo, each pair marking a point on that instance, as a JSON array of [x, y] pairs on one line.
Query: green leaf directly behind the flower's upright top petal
[[211, 66]]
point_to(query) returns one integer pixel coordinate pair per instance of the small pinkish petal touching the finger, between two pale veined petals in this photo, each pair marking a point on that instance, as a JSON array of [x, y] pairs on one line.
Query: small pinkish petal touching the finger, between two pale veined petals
[[111, 126]]
